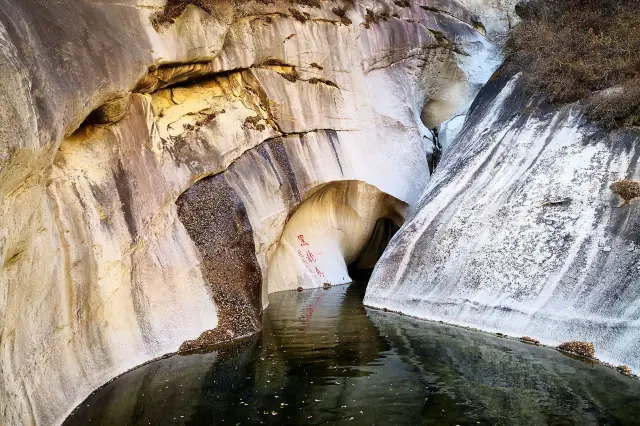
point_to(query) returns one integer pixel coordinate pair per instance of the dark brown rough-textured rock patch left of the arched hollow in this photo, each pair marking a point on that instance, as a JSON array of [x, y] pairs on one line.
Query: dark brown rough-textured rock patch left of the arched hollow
[[216, 220]]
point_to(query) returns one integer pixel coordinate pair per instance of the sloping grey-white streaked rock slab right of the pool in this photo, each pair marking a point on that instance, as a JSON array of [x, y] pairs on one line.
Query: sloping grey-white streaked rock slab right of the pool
[[519, 233]]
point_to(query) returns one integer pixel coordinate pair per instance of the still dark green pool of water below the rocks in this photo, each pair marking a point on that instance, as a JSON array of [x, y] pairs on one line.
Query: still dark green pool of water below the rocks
[[323, 358]]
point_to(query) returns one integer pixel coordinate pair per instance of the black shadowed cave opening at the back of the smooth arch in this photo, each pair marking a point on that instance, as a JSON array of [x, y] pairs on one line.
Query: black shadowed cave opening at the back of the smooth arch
[[362, 268]]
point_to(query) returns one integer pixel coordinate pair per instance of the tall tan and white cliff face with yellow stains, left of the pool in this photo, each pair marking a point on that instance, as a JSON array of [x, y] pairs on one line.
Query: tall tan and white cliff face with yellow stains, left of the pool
[[143, 149]]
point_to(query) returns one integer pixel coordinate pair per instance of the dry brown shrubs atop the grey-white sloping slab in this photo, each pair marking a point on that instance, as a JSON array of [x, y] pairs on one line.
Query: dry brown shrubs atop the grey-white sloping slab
[[570, 49]]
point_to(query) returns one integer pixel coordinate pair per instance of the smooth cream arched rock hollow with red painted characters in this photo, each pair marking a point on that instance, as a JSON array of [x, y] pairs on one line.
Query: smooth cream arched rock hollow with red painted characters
[[328, 232]]
